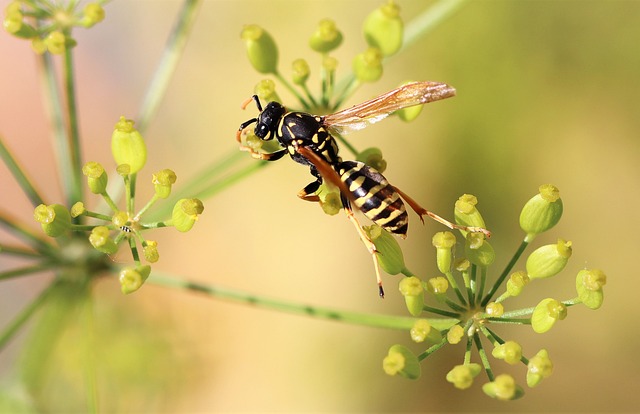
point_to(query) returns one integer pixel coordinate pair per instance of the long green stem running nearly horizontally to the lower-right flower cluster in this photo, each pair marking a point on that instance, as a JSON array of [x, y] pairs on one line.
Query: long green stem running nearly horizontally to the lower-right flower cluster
[[378, 321]]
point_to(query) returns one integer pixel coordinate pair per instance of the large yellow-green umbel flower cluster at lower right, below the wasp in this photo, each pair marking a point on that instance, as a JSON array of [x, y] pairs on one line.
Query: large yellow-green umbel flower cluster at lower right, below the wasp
[[470, 305]]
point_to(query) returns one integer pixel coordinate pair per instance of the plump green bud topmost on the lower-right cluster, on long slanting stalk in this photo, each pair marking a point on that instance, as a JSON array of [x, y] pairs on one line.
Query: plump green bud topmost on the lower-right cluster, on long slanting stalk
[[541, 212]]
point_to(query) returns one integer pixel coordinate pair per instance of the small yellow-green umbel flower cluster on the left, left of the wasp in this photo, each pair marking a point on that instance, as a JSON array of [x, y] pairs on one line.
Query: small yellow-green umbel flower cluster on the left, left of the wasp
[[121, 226]]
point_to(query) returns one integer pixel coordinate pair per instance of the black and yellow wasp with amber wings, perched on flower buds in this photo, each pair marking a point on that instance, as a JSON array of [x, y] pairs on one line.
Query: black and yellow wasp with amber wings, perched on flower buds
[[310, 140]]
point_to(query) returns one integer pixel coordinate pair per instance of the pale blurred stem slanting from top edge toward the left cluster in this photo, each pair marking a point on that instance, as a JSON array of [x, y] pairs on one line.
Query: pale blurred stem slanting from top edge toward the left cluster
[[166, 67]]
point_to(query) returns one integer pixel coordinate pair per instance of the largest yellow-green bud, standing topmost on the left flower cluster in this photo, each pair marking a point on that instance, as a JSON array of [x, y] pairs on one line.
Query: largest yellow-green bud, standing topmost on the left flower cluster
[[127, 146]]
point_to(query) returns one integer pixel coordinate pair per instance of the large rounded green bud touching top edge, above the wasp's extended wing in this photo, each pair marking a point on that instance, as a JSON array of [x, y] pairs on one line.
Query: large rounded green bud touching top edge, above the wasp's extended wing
[[383, 29]]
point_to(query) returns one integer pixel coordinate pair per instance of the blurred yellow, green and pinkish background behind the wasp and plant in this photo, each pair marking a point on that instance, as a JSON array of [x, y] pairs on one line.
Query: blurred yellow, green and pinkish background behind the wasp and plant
[[547, 93]]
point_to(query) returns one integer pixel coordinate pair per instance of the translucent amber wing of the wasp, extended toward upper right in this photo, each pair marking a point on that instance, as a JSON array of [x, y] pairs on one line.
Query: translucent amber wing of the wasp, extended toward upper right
[[369, 112]]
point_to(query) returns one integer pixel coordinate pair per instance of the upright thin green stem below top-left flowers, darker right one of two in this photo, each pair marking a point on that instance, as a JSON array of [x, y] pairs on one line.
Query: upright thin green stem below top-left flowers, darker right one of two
[[75, 190]]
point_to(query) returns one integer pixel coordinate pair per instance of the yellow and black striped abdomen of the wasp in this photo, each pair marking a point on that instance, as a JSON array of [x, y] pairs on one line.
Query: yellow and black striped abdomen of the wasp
[[374, 196]]
